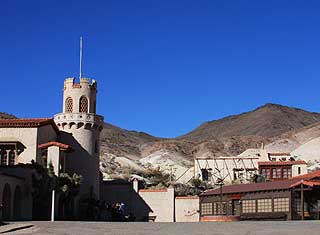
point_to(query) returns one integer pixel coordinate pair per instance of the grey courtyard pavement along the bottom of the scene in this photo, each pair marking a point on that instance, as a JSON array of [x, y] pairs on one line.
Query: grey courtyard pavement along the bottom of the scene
[[236, 228]]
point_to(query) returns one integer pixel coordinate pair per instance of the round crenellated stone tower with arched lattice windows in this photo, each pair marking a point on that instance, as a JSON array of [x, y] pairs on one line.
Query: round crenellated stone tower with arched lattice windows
[[80, 127]]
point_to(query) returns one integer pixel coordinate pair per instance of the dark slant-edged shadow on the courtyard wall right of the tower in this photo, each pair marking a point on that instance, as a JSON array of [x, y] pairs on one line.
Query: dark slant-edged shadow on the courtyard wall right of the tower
[[121, 191]]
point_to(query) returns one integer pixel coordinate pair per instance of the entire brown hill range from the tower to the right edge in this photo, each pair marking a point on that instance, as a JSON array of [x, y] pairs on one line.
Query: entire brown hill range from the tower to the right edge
[[228, 136]]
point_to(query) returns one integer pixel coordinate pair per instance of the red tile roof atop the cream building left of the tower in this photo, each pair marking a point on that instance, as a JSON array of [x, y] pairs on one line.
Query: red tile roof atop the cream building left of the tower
[[27, 123]]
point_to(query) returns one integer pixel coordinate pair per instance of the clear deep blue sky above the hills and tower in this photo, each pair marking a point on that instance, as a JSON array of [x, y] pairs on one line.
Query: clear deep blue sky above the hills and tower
[[162, 66]]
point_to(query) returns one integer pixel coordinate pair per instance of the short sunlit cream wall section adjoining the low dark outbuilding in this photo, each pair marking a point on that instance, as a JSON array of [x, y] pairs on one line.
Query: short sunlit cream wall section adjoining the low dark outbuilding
[[187, 209]]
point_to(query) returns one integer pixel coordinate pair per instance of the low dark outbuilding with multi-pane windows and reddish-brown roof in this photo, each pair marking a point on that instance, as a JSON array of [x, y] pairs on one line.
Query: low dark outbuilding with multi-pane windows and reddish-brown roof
[[294, 199]]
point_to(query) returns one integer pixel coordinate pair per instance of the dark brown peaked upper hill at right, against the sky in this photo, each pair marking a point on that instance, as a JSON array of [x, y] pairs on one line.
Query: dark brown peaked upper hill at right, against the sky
[[267, 121]]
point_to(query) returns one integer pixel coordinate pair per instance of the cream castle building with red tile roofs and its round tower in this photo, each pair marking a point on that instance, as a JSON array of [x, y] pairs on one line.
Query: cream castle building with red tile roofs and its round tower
[[70, 142]]
